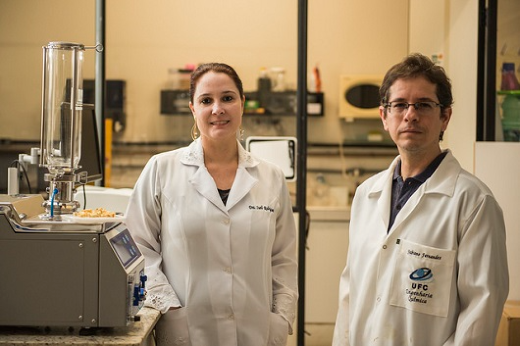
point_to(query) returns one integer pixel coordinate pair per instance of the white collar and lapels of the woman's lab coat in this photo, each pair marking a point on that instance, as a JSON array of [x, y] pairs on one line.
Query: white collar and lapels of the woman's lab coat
[[204, 183]]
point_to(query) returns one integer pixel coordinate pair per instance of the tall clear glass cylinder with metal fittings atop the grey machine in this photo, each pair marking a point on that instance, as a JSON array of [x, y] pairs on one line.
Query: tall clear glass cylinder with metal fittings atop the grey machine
[[62, 99]]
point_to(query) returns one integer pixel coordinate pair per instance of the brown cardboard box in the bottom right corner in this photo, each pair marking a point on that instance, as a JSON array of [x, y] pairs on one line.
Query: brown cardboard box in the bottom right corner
[[509, 328]]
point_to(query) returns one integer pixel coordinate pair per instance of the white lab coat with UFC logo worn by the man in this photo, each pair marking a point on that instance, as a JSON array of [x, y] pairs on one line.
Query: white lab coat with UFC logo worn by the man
[[439, 277]]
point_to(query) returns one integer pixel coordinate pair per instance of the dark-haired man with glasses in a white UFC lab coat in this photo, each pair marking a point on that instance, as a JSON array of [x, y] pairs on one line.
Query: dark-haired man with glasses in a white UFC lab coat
[[427, 260]]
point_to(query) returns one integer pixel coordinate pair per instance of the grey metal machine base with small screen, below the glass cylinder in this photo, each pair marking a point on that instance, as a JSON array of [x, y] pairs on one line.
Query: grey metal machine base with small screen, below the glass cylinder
[[63, 273]]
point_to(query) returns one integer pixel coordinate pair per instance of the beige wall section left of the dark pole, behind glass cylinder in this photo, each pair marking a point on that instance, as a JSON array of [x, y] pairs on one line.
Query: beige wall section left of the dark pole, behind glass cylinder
[[26, 26]]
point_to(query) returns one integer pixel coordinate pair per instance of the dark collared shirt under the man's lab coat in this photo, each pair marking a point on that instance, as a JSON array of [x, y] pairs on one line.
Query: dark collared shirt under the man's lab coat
[[403, 190]]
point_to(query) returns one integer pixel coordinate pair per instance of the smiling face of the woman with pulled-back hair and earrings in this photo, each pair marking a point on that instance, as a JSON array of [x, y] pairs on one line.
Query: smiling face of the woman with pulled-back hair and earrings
[[217, 107]]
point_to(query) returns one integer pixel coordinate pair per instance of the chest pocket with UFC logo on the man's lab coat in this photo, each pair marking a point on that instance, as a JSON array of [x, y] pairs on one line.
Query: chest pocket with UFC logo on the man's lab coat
[[422, 278]]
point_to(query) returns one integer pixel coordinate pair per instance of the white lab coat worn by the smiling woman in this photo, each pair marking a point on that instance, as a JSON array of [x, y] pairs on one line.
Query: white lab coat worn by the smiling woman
[[232, 268]]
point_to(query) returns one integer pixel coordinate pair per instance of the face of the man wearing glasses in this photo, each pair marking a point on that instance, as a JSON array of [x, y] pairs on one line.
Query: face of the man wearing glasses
[[415, 131]]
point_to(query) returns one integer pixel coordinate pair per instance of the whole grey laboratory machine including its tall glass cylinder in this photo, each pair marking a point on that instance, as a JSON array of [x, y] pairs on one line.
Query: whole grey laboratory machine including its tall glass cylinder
[[60, 268]]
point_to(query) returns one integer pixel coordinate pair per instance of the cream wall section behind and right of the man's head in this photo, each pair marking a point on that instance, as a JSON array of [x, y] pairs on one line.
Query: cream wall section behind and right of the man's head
[[449, 28]]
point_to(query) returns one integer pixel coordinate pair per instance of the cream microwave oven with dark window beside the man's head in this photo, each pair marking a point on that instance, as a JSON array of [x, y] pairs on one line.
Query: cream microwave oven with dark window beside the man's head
[[359, 96]]
